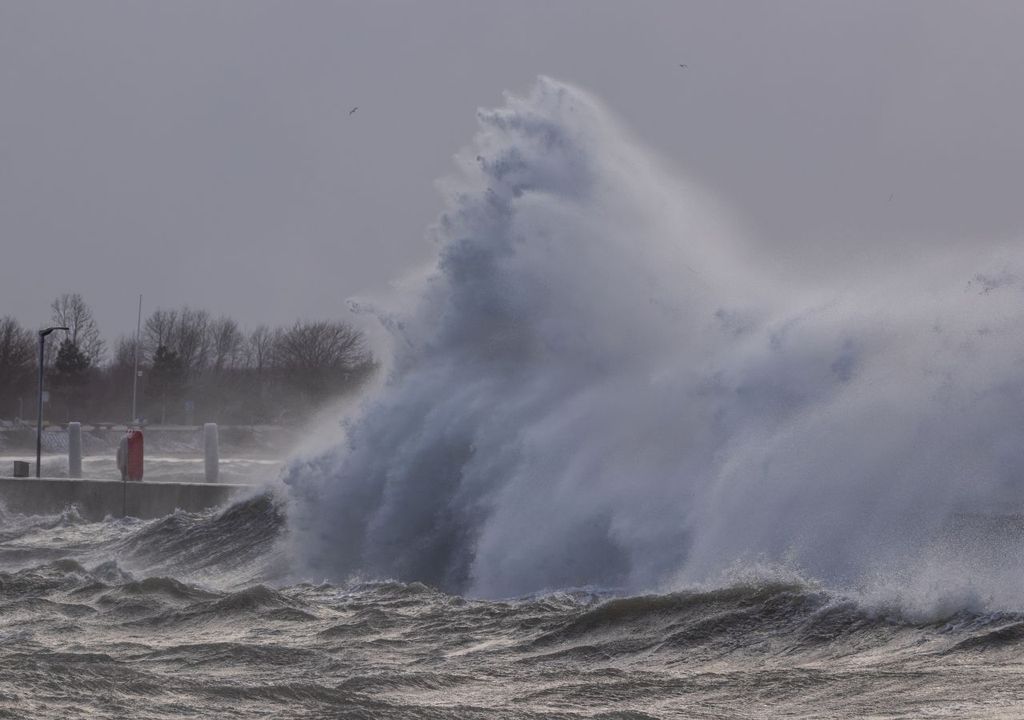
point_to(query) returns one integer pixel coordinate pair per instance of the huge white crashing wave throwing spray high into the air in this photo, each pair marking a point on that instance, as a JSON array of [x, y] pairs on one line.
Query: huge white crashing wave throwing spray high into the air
[[592, 388]]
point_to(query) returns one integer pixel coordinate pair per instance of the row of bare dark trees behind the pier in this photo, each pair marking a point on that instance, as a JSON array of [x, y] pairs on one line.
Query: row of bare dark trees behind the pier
[[193, 368]]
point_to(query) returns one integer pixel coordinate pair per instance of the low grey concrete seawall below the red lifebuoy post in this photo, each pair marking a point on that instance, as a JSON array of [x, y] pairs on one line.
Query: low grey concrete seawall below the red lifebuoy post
[[99, 499]]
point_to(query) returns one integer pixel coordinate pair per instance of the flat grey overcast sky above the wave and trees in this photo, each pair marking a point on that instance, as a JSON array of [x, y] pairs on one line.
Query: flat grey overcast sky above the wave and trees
[[202, 152]]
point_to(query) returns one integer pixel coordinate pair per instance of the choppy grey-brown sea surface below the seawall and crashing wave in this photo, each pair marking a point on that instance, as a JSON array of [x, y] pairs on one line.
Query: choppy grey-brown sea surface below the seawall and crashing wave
[[192, 616]]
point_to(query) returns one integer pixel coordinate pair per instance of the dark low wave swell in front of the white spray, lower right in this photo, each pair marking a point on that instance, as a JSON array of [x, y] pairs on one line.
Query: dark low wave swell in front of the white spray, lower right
[[772, 620]]
